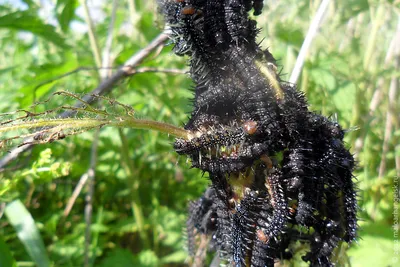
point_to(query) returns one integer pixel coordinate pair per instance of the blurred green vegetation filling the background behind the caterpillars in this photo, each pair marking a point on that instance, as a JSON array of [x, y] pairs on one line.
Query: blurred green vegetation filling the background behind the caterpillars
[[141, 187]]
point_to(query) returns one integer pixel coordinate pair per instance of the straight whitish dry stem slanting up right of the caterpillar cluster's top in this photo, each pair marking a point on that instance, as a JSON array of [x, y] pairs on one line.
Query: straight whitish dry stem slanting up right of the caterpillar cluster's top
[[312, 32]]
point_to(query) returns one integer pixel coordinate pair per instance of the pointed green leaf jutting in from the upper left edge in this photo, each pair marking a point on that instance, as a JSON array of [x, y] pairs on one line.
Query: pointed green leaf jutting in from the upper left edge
[[26, 21]]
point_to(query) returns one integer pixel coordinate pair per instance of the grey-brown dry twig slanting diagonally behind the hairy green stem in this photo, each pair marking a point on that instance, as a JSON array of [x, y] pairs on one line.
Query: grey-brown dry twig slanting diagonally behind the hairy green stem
[[104, 88]]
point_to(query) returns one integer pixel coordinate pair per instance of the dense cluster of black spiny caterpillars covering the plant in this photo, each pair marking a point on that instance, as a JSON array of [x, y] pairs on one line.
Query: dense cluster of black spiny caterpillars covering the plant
[[280, 173]]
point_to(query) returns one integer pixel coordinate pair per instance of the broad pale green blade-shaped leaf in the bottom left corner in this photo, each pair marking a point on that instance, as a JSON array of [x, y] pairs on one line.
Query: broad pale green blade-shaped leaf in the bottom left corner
[[23, 223]]
